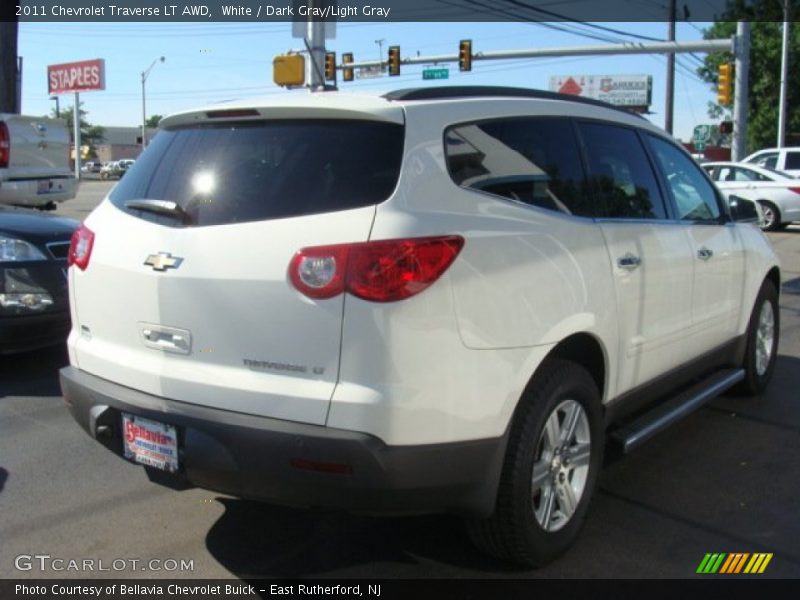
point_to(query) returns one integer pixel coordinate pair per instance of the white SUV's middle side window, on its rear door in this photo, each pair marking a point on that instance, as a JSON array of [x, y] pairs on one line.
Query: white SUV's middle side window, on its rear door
[[620, 172]]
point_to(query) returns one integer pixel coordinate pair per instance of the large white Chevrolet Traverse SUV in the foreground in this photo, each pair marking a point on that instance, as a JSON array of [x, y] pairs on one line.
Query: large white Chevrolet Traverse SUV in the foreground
[[438, 300]]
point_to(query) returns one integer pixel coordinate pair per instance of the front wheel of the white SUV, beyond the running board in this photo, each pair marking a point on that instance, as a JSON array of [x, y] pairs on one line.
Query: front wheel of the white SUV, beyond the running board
[[762, 342]]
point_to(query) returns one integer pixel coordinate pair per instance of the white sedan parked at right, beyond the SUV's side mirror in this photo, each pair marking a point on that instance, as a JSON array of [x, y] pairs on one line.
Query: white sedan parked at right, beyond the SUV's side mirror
[[777, 193]]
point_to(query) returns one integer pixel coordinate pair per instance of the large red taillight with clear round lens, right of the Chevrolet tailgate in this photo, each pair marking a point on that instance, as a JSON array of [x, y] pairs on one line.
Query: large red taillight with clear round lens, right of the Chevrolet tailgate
[[381, 271]]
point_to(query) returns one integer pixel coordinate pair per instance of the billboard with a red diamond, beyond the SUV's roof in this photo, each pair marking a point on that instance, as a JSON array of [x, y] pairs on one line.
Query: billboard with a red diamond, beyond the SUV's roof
[[620, 90]]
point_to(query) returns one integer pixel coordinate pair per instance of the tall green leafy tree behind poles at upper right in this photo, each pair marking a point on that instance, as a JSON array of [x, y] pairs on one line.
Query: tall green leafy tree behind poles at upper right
[[765, 69]]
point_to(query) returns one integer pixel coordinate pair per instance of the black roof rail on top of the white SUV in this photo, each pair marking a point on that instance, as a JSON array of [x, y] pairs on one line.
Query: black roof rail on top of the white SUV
[[473, 91]]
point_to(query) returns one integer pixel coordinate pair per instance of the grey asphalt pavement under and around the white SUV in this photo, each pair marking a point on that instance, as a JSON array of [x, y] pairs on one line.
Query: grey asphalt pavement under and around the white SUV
[[726, 479]]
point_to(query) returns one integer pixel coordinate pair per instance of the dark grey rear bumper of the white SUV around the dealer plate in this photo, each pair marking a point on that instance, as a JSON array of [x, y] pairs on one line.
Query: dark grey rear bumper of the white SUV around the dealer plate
[[283, 462]]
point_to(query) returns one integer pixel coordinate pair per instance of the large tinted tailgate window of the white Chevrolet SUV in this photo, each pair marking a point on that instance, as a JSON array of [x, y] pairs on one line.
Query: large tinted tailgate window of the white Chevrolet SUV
[[240, 172]]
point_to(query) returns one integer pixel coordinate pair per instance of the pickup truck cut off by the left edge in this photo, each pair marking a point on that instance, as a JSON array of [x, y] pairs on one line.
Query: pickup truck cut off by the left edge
[[34, 162]]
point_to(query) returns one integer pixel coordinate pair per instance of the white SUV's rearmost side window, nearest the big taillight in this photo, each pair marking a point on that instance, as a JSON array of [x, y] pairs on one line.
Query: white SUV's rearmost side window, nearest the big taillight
[[534, 161]]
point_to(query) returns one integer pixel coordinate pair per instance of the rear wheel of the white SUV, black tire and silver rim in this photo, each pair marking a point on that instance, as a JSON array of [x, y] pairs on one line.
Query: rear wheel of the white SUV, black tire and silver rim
[[552, 461]]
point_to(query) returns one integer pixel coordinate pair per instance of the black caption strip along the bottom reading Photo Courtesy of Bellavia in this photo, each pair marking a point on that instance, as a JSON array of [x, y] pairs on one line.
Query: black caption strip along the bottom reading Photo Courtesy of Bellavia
[[706, 587]]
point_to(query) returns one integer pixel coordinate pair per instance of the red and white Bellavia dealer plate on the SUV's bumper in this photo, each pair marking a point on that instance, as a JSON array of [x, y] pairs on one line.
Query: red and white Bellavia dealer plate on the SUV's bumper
[[150, 443]]
